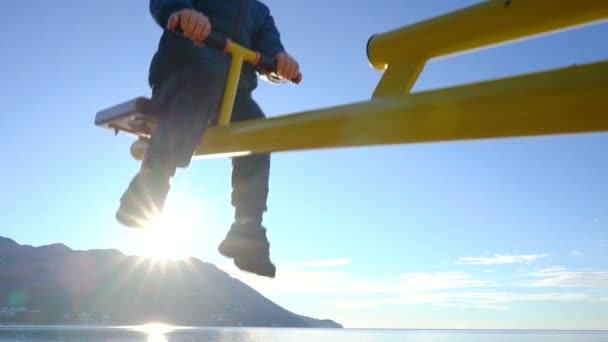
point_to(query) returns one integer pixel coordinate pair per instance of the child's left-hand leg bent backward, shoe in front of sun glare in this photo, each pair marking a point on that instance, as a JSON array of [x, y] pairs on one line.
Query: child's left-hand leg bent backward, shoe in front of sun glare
[[186, 100]]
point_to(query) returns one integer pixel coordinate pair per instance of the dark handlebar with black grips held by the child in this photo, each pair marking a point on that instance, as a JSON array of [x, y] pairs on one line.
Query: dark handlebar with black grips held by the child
[[220, 42]]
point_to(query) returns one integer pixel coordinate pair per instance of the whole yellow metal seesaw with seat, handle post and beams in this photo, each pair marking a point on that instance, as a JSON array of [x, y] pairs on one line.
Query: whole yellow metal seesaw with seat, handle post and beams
[[561, 101]]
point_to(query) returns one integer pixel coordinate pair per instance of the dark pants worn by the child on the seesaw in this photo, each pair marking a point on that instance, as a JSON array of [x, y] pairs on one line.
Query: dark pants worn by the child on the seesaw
[[189, 101]]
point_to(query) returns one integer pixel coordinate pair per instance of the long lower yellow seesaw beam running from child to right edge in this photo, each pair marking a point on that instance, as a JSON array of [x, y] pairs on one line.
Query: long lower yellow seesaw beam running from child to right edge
[[570, 100]]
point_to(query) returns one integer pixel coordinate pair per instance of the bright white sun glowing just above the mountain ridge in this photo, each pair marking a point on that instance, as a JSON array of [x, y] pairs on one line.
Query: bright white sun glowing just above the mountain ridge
[[168, 235]]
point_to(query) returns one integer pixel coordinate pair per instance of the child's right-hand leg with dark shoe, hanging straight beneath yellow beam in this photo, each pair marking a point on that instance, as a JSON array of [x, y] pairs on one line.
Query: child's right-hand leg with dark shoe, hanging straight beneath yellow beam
[[246, 241]]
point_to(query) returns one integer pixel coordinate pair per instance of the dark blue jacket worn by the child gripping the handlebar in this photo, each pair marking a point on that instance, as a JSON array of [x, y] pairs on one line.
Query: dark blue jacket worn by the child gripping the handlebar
[[247, 22]]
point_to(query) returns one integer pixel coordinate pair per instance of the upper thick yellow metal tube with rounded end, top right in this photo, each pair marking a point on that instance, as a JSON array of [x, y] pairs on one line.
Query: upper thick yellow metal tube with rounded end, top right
[[490, 22]]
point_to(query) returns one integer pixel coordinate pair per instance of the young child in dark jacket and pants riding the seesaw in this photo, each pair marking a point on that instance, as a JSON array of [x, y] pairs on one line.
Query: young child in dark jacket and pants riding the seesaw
[[188, 80]]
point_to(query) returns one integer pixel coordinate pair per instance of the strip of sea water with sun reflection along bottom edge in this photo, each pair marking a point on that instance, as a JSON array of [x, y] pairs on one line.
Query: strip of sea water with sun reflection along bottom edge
[[170, 334]]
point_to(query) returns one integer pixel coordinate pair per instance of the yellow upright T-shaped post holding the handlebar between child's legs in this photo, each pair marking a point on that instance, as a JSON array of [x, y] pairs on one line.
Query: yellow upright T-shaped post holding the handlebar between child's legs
[[239, 55]]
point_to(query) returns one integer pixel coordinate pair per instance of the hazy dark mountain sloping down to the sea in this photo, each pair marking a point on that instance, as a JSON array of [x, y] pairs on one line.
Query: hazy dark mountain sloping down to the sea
[[57, 285]]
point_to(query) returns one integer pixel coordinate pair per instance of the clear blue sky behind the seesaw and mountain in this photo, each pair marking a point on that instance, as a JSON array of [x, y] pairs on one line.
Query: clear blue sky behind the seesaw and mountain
[[509, 233]]
